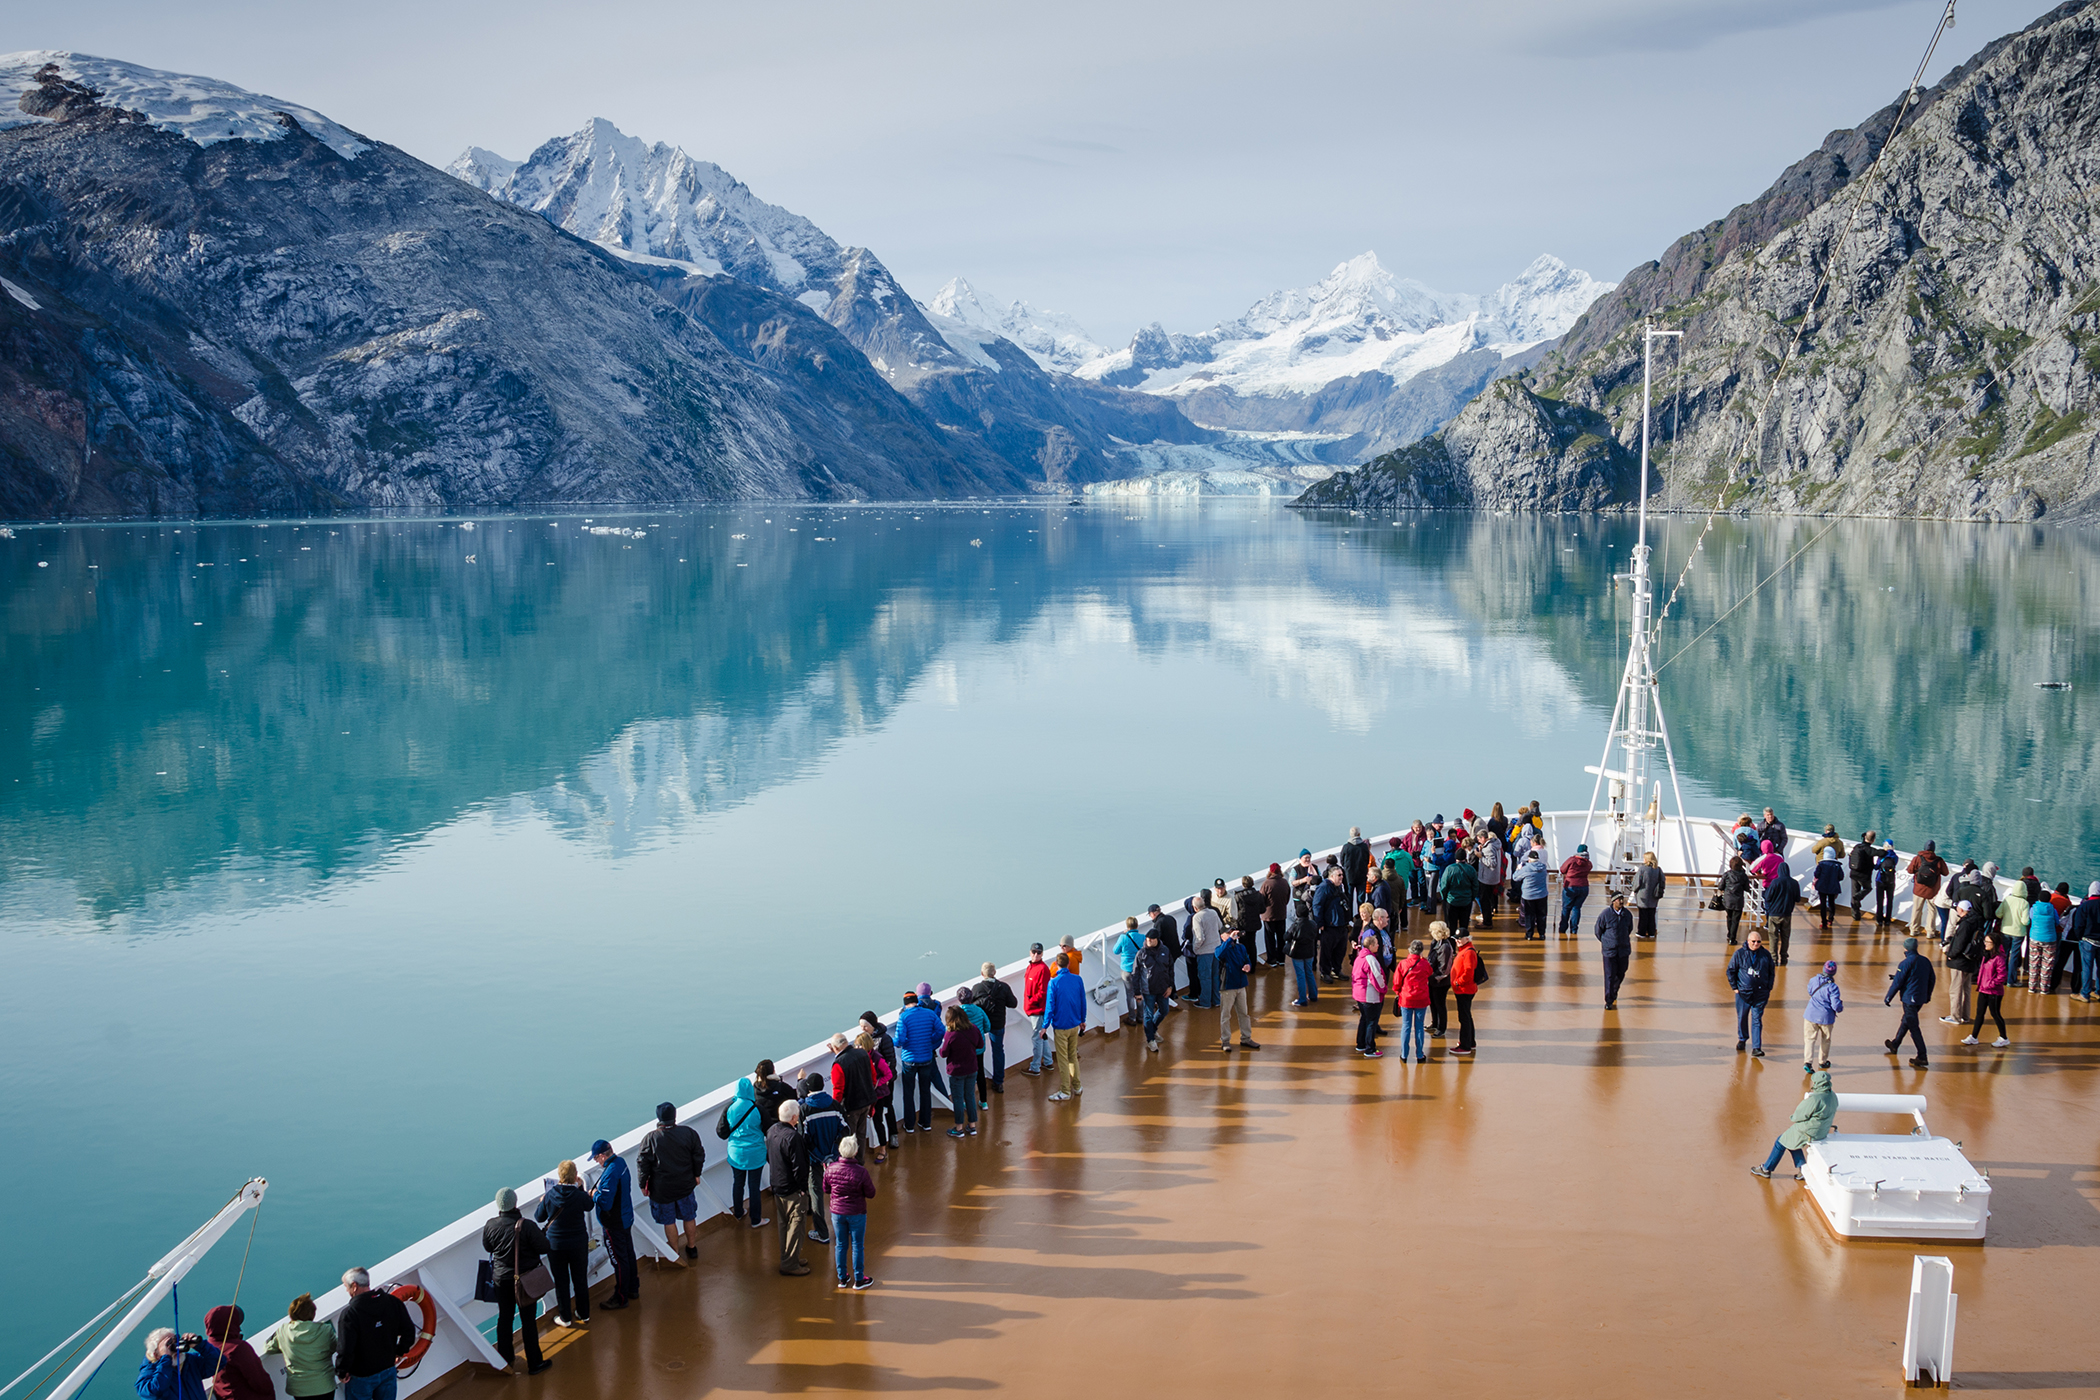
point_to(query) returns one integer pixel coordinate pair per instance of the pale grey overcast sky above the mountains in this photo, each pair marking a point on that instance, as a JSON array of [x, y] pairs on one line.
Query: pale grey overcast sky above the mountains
[[1120, 163]]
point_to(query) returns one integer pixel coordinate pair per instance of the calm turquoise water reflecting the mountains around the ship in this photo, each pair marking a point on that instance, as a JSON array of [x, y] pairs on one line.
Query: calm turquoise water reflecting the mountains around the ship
[[396, 862]]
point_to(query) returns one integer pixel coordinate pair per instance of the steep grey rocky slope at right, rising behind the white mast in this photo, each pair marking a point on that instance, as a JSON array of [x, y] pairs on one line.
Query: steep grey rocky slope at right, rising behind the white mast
[[1950, 366]]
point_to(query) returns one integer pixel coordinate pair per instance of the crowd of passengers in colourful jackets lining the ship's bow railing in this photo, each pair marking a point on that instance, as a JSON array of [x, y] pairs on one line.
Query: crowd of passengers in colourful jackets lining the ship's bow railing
[[1345, 918]]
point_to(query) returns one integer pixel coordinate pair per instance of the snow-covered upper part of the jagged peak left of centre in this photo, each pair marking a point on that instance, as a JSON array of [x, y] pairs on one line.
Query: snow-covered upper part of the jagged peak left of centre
[[658, 205]]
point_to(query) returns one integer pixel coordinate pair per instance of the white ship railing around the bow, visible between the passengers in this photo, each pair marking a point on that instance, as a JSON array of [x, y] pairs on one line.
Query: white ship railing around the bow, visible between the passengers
[[446, 1260]]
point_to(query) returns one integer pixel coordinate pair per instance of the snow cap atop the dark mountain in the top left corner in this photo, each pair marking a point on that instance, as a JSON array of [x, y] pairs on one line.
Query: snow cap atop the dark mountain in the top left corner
[[64, 85]]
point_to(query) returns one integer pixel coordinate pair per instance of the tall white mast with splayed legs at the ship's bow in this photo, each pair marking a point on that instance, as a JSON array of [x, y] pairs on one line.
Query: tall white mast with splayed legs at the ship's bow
[[1637, 721]]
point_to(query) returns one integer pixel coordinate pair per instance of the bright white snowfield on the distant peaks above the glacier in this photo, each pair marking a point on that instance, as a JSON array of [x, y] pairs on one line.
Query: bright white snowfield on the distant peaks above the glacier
[[1358, 320]]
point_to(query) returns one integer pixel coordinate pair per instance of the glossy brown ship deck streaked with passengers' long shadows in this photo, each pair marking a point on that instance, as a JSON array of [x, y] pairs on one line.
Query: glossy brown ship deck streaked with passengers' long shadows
[[1572, 1212]]
